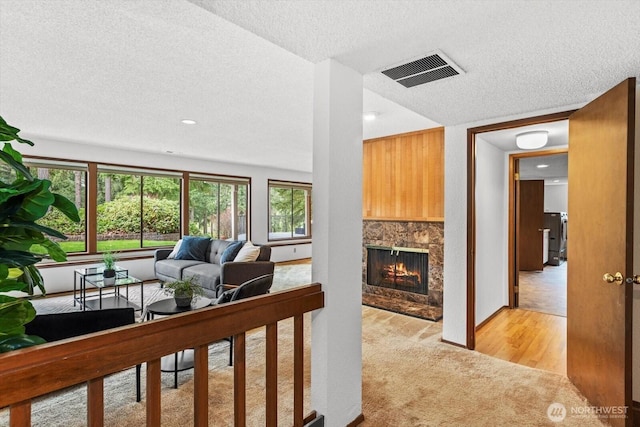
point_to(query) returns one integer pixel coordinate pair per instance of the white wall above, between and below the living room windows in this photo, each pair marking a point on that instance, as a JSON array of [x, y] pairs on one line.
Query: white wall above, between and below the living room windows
[[60, 279]]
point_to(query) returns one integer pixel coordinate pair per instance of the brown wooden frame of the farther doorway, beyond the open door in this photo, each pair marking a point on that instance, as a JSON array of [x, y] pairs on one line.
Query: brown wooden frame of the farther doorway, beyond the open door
[[514, 234]]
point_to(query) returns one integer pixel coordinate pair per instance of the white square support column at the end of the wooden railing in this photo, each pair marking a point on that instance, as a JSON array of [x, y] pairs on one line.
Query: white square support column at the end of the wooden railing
[[336, 355]]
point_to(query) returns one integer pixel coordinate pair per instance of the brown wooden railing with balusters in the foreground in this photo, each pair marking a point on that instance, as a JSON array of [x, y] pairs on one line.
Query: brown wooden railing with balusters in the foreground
[[28, 373]]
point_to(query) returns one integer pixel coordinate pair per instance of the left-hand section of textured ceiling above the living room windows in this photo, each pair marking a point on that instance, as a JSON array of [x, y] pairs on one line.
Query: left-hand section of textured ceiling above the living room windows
[[125, 73]]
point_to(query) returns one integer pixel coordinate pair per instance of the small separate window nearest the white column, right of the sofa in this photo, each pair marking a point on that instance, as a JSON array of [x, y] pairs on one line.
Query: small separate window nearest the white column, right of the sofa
[[289, 210]]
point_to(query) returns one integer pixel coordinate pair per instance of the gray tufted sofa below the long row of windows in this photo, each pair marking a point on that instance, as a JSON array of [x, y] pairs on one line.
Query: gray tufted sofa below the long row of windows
[[210, 273]]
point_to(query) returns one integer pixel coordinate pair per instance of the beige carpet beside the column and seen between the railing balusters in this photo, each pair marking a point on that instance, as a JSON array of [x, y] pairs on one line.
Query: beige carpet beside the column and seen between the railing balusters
[[410, 378]]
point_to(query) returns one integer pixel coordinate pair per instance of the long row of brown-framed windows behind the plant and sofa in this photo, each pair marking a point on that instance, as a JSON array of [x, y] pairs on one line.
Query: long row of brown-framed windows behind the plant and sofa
[[139, 208]]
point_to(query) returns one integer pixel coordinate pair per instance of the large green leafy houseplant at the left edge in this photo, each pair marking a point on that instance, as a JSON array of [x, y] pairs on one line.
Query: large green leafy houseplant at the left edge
[[24, 201]]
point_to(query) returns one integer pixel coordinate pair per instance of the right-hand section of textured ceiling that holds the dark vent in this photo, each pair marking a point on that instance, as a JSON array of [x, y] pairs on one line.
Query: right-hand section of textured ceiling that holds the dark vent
[[519, 56]]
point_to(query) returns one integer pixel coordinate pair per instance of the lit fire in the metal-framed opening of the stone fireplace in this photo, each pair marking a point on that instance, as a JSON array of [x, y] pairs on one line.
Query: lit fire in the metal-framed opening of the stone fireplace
[[405, 269]]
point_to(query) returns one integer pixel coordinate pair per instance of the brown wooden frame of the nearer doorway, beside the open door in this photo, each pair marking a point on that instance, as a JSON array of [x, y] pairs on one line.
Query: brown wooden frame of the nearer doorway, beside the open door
[[471, 207]]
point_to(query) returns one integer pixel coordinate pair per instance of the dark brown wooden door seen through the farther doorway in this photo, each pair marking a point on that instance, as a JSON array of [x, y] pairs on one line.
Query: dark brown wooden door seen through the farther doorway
[[531, 201]]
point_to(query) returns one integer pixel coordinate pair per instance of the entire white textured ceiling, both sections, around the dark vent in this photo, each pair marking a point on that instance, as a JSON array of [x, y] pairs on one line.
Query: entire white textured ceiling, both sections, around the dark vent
[[124, 73]]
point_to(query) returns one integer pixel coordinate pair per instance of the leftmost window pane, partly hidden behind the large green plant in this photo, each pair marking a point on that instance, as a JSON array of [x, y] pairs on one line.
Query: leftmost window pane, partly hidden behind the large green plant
[[69, 180]]
